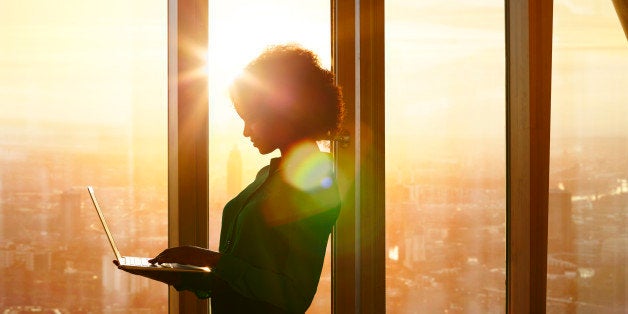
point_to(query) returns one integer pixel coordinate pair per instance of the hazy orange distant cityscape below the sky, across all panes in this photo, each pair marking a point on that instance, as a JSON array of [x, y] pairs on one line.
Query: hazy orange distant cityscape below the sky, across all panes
[[445, 240]]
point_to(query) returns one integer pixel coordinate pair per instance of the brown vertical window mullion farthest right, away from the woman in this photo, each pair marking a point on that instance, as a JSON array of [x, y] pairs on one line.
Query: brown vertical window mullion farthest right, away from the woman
[[529, 53]]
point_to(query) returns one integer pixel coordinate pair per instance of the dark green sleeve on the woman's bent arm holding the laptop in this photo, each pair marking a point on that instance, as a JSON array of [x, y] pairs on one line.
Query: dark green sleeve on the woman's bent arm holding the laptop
[[293, 286]]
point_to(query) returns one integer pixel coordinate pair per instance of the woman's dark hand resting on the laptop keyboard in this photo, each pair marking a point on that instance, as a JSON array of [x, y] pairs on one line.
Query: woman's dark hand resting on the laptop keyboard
[[190, 255]]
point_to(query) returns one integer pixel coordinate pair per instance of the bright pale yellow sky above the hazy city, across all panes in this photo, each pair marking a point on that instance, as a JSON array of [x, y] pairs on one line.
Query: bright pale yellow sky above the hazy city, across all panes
[[104, 63]]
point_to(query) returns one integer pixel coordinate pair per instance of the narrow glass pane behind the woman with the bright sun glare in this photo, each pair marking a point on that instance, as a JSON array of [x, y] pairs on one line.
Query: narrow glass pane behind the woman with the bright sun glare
[[239, 31]]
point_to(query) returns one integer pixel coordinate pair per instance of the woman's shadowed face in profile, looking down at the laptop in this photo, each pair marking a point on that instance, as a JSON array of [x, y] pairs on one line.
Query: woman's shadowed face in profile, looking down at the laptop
[[266, 129]]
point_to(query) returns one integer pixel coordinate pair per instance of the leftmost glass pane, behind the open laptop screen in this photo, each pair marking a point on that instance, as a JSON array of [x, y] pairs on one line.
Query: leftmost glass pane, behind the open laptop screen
[[83, 96]]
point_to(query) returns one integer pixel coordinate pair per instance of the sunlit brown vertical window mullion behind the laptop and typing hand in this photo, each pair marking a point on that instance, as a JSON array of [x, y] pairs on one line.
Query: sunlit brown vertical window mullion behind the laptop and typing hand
[[187, 136]]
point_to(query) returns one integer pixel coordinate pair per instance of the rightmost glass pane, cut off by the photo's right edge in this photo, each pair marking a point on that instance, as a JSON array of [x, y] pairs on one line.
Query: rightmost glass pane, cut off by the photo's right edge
[[588, 197]]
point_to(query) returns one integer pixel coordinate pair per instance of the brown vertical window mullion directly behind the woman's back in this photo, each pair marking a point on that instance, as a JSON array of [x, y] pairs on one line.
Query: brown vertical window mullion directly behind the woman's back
[[359, 251]]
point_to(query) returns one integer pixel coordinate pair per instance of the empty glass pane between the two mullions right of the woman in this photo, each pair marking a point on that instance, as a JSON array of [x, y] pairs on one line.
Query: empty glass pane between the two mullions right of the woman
[[445, 157]]
